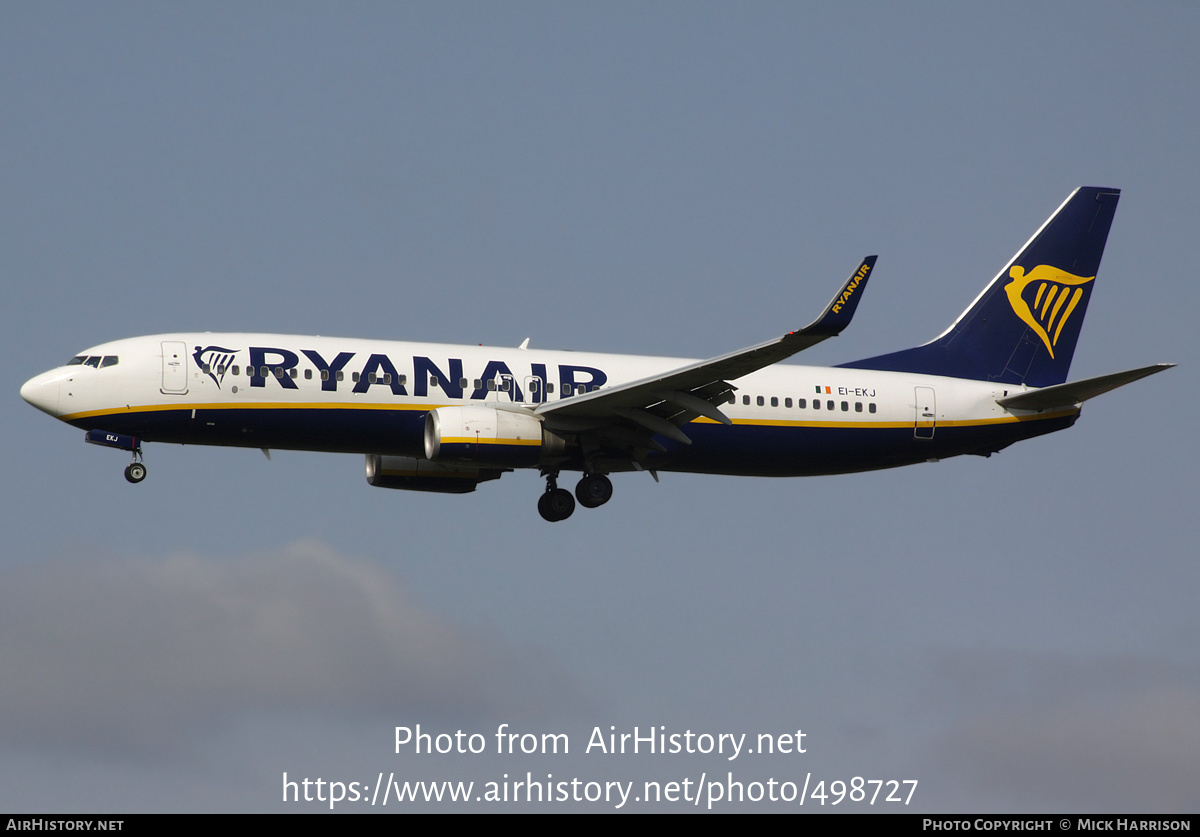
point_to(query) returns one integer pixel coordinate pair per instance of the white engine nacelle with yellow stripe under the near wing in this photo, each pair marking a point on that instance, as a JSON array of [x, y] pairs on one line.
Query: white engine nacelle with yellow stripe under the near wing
[[484, 436]]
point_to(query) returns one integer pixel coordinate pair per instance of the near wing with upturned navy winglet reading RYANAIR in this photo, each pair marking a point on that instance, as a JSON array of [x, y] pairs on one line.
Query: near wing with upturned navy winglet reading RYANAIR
[[629, 416]]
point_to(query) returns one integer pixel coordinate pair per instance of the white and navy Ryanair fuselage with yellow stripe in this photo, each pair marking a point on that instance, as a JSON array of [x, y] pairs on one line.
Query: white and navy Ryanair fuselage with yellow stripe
[[349, 395]]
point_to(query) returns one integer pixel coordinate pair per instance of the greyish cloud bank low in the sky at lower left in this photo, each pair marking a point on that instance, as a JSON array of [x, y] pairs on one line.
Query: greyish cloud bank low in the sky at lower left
[[134, 654]]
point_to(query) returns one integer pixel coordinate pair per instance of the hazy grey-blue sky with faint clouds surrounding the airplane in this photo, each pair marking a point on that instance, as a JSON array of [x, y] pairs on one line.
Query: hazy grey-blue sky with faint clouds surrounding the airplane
[[675, 179]]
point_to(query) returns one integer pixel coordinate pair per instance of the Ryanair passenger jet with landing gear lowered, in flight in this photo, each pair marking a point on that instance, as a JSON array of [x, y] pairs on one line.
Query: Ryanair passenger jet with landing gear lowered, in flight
[[440, 418]]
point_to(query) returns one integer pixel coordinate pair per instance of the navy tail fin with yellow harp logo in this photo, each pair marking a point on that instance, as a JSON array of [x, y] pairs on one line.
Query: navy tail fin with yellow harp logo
[[1024, 327]]
